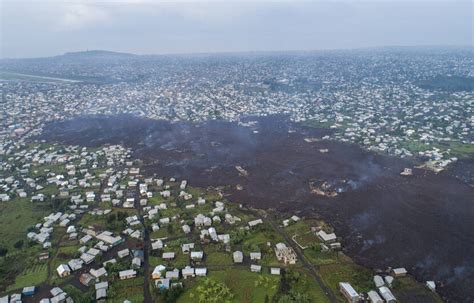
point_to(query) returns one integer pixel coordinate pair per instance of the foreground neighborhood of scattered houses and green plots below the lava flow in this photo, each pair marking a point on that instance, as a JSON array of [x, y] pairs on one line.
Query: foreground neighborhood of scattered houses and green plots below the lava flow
[[114, 234]]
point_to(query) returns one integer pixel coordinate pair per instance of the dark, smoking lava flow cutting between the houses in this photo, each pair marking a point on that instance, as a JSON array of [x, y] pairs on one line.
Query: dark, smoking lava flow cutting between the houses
[[423, 222]]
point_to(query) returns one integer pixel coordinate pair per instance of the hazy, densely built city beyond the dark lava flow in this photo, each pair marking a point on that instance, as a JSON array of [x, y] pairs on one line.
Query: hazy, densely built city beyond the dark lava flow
[[383, 111]]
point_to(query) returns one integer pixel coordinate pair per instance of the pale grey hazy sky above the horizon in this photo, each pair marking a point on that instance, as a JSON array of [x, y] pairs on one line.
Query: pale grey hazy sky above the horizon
[[42, 28]]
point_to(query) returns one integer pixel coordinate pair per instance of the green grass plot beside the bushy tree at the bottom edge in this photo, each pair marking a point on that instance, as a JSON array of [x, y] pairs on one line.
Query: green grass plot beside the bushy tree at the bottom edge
[[242, 284]]
